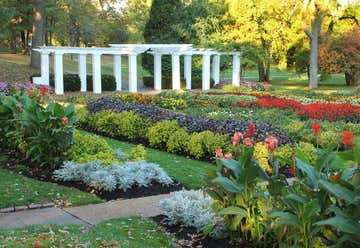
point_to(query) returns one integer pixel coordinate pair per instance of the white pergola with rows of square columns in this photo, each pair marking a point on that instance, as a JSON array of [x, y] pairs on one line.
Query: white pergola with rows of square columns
[[132, 50]]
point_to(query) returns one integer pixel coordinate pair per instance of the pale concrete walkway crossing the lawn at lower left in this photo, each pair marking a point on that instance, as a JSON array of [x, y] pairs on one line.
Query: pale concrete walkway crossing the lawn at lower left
[[84, 215]]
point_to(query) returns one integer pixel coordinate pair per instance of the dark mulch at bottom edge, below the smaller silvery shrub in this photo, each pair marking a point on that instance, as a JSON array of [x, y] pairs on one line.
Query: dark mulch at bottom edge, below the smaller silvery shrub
[[188, 237]]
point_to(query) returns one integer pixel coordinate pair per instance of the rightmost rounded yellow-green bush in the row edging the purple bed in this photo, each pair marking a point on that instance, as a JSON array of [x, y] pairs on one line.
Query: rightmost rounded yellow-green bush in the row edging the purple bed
[[205, 143]]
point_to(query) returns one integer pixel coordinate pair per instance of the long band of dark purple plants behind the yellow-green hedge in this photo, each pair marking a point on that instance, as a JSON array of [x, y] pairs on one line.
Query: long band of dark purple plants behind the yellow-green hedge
[[192, 123]]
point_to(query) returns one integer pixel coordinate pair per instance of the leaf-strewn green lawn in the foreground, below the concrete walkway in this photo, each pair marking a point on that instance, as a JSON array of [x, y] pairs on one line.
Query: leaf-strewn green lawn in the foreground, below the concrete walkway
[[126, 232]]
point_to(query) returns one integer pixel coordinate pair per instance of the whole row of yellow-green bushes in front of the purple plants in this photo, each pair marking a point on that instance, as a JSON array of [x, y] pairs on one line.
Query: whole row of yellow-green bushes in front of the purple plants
[[164, 135]]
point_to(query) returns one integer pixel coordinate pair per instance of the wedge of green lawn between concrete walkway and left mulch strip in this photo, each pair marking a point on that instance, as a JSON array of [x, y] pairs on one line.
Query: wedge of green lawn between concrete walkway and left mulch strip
[[17, 190]]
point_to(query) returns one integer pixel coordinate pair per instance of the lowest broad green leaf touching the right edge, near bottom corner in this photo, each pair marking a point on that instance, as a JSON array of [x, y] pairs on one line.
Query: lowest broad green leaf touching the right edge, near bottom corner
[[346, 225]]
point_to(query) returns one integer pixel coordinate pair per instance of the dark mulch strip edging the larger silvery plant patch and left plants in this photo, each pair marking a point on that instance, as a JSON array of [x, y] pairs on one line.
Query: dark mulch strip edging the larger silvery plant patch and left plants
[[43, 174]]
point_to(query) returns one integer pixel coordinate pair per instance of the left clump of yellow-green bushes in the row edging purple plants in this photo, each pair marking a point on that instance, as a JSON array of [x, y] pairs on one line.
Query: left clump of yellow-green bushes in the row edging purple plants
[[125, 124]]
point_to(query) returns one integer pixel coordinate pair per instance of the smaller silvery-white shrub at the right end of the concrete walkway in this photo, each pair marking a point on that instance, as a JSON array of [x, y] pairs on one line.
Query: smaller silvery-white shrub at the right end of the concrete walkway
[[190, 208]]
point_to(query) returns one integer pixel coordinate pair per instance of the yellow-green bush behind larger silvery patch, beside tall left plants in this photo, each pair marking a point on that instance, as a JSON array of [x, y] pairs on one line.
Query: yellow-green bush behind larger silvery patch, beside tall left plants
[[89, 147]]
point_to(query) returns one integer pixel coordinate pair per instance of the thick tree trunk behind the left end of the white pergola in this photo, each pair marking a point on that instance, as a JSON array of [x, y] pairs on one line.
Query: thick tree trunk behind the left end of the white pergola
[[38, 31]]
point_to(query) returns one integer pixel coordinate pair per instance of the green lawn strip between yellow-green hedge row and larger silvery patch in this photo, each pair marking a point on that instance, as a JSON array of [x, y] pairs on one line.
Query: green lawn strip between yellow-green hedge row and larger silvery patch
[[184, 170]]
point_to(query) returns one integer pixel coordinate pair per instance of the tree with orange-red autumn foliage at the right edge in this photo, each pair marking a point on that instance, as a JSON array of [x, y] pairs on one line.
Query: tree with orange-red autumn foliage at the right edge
[[342, 55]]
